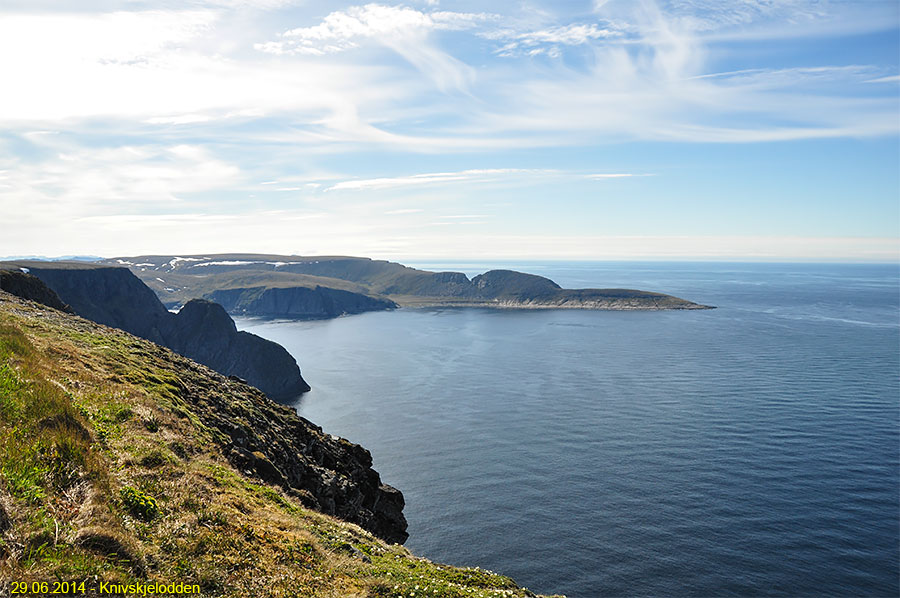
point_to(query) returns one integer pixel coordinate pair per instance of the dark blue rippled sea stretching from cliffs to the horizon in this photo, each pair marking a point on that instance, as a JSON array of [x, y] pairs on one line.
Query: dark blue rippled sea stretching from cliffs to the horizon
[[751, 450]]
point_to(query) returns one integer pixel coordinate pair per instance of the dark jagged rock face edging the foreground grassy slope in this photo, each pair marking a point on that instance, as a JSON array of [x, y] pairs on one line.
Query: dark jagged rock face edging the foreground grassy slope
[[273, 443]]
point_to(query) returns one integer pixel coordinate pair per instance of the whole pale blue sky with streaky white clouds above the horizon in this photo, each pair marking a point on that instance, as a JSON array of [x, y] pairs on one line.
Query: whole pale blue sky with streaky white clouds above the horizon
[[613, 129]]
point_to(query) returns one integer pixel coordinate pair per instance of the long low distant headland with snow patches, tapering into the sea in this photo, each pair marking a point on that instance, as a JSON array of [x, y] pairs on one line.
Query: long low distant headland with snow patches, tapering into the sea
[[331, 286]]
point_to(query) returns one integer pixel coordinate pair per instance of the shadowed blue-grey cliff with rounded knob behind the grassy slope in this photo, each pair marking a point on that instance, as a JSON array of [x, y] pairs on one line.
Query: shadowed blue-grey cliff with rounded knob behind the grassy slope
[[201, 331]]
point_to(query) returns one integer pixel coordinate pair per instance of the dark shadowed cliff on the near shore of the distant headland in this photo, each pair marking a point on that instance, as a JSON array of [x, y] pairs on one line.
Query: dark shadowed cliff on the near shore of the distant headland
[[297, 302]]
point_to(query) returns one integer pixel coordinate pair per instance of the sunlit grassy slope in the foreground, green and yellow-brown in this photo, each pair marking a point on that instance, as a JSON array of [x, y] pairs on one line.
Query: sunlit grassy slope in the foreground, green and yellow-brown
[[106, 475]]
